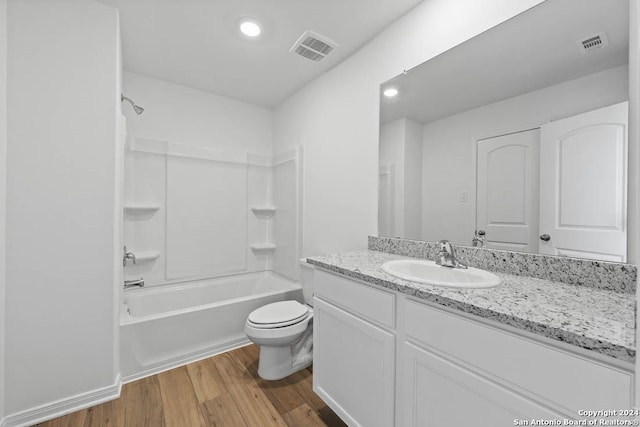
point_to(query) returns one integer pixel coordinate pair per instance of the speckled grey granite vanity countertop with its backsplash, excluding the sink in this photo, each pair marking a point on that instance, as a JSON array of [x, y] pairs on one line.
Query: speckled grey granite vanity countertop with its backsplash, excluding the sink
[[588, 304]]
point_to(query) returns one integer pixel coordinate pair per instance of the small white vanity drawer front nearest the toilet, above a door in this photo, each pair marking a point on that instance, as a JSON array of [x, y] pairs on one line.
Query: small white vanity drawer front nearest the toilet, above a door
[[366, 301]]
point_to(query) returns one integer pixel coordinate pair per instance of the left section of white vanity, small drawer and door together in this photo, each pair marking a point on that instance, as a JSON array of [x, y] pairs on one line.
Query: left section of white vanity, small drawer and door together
[[354, 350]]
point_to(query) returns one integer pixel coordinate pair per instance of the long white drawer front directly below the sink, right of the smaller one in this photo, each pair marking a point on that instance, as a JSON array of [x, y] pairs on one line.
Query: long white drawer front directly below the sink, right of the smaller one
[[550, 375]]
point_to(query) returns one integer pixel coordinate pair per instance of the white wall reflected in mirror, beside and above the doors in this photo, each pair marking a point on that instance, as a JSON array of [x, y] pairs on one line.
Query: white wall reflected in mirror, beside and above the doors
[[449, 160]]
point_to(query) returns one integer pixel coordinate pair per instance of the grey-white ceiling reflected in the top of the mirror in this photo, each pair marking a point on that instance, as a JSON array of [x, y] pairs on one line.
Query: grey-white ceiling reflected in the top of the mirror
[[534, 50]]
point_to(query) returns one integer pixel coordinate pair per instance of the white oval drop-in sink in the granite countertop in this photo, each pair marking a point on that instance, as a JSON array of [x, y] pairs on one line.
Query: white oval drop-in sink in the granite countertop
[[425, 271]]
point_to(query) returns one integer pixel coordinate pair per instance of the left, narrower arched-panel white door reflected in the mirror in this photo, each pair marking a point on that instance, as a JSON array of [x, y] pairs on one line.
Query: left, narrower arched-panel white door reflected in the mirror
[[507, 191]]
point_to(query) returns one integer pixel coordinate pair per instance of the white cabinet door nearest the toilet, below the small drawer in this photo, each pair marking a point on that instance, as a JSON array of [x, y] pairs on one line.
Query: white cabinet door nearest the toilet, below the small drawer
[[353, 366]]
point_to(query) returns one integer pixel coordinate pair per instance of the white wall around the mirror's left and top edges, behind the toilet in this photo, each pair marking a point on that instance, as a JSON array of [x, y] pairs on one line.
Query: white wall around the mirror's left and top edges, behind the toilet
[[336, 118]]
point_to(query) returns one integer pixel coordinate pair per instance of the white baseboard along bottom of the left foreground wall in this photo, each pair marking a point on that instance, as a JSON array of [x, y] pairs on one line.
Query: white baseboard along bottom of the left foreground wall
[[63, 406]]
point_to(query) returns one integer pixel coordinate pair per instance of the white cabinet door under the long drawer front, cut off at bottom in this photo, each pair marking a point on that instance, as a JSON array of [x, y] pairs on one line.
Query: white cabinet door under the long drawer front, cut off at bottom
[[440, 393]]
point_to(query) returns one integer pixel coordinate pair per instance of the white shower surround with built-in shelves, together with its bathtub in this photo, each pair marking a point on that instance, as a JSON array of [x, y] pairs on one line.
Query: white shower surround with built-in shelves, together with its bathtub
[[216, 235]]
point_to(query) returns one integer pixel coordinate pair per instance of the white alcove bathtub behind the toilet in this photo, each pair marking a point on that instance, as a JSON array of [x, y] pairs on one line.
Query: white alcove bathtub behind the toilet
[[167, 326]]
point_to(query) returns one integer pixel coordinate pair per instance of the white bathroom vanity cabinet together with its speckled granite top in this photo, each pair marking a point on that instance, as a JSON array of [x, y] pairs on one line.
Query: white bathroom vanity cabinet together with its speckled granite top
[[393, 352]]
